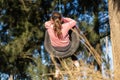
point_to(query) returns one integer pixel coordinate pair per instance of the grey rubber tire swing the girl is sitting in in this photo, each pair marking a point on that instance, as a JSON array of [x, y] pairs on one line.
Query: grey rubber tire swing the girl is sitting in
[[74, 38]]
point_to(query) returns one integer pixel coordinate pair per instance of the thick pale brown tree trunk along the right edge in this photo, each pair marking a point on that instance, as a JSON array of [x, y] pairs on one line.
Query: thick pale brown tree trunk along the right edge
[[114, 18]]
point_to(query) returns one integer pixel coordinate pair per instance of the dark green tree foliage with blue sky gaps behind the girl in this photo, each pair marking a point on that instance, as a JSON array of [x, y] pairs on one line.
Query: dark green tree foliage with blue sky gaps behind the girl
[[22, 31]]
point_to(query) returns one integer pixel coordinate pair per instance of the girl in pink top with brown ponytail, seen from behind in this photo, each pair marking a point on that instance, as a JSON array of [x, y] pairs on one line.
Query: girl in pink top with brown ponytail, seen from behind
[[58, 28]]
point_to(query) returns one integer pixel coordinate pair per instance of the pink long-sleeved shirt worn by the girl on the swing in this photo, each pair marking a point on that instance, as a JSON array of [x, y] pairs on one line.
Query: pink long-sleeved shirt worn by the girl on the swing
[[66, 26]]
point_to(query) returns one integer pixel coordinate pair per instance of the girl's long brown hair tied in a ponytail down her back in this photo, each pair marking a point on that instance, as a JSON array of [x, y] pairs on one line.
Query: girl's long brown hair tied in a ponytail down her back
[[56, 17]]
